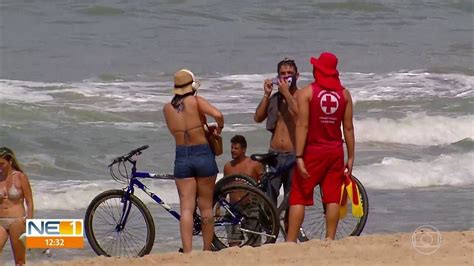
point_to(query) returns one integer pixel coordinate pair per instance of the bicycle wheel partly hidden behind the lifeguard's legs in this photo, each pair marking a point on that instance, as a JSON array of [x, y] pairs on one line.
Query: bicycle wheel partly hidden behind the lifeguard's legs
[[314, 225]]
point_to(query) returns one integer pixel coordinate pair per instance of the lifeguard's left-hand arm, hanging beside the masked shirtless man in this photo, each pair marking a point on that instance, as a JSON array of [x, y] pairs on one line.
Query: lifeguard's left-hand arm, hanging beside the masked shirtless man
[[302, 123]]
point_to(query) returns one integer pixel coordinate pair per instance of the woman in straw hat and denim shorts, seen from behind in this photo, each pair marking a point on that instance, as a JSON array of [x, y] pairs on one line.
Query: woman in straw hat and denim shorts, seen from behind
[[195, 167]]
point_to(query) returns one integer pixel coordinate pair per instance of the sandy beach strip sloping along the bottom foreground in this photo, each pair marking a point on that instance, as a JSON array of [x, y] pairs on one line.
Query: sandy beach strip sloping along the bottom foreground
[[456, 248]]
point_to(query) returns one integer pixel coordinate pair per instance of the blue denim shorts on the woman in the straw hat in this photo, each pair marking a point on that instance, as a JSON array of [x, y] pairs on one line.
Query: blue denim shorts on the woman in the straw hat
[[194, 161]]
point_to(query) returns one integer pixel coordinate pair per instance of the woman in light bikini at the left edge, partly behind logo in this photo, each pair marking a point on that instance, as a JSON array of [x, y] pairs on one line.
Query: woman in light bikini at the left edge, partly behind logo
[[15, 193]]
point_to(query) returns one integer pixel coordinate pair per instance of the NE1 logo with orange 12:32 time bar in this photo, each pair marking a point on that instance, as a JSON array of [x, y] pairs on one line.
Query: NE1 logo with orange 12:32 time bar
[[54, 233]]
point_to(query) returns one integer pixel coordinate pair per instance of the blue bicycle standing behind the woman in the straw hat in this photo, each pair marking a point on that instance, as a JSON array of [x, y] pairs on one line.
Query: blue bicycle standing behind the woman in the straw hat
[[118, 223]]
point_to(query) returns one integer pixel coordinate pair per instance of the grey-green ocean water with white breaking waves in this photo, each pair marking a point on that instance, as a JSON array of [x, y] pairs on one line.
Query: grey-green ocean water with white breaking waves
[[83, 82]]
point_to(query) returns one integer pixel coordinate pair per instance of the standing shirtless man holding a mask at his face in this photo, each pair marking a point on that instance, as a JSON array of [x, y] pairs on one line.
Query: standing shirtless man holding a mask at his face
[[281, 111]]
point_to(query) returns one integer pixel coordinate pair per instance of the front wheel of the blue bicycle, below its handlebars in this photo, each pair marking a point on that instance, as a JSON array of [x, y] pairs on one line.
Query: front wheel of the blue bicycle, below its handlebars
[[103, 229]]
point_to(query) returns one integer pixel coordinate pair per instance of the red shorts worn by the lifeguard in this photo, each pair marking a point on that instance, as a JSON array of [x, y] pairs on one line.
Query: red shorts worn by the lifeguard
[[325, 168]]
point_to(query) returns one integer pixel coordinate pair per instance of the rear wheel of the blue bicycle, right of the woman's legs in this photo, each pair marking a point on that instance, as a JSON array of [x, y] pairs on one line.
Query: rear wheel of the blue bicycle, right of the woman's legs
[[243, 216]]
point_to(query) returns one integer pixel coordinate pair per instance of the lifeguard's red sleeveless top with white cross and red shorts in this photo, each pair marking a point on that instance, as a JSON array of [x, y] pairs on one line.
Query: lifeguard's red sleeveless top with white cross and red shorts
[[323, 155]]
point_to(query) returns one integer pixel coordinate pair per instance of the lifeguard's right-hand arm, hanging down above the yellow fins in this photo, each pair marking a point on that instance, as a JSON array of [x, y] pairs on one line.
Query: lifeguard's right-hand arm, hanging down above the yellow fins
[[348, 129]]
